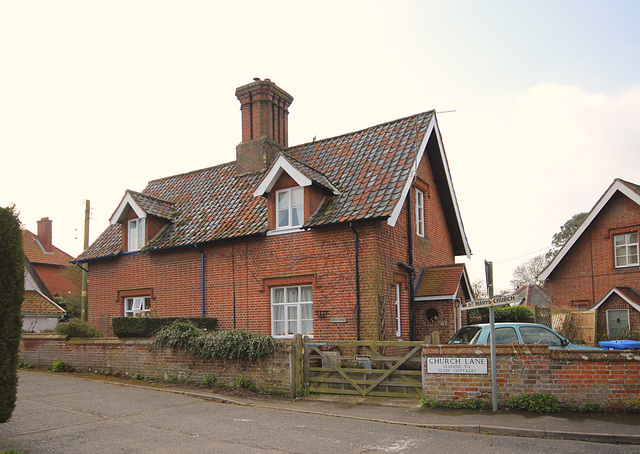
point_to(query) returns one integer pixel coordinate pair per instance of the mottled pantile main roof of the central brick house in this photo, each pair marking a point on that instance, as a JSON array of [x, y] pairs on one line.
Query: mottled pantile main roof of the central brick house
[[368, 169]]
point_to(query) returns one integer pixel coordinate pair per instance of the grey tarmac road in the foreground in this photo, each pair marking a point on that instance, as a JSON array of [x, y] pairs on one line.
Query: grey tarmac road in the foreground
[[60, 413]]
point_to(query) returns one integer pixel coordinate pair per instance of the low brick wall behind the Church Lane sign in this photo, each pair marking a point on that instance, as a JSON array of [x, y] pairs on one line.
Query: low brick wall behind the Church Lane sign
[[609, 378]]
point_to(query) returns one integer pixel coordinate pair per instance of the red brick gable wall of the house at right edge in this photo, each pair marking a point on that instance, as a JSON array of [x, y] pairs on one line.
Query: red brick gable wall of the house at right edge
[[587, 271]]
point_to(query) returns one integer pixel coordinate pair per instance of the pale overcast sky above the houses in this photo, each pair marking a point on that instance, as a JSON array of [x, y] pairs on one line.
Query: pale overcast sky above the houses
[[540, 100]]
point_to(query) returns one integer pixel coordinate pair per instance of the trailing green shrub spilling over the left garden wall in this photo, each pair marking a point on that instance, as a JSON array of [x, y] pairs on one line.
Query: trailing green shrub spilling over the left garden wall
[[233, 344]]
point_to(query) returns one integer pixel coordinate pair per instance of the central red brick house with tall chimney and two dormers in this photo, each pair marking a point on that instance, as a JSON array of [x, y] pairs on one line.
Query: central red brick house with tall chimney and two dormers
[[325, 238]]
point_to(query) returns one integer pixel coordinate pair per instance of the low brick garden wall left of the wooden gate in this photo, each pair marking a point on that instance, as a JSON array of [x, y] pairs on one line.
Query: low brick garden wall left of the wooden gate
[[131, 356]]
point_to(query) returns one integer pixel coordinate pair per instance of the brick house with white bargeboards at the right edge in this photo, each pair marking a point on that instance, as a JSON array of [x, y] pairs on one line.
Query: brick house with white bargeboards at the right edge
[[598, 267]]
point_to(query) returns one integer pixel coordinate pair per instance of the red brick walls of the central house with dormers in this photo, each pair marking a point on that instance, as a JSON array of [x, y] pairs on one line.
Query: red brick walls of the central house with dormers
[[240, 273]]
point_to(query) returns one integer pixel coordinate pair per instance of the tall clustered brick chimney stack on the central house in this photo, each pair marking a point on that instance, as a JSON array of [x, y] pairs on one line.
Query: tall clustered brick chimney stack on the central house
[[264, 108]]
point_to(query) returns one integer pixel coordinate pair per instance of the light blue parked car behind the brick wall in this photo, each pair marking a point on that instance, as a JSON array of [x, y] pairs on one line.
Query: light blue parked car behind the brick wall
[[515, 333]]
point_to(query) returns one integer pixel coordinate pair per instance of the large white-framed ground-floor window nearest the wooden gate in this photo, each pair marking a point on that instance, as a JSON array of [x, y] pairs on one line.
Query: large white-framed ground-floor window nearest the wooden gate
[[291, 311]]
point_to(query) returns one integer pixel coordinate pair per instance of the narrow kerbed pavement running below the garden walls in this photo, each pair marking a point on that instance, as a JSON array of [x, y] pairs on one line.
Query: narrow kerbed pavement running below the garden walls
[[614, 428]]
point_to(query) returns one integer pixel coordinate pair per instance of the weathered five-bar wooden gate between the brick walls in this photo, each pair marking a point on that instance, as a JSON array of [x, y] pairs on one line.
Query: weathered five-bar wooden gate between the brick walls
[[369, 368]]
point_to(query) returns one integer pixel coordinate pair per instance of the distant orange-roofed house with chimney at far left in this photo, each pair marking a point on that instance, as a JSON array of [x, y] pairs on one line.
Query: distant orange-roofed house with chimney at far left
[[48, 275]]
